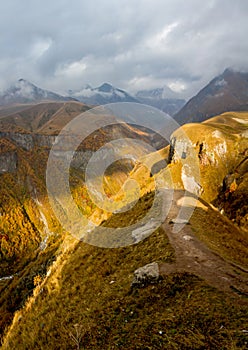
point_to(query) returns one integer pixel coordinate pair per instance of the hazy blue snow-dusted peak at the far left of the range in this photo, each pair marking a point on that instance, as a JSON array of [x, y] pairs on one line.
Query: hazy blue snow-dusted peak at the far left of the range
[[25, 92]]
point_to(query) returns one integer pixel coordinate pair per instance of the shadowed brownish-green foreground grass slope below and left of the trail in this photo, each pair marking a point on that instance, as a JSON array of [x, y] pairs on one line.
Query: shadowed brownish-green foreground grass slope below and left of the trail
[[90, 290]]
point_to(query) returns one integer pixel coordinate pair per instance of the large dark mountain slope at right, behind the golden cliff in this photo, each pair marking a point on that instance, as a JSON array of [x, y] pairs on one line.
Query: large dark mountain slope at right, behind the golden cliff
[[226, 92]]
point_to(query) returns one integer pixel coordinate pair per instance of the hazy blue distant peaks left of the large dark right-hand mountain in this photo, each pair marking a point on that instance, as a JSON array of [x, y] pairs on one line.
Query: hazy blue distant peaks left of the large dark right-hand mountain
[[23, 92]]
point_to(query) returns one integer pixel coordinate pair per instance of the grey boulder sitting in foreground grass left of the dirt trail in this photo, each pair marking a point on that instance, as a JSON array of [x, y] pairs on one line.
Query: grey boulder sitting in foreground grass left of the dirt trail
[[145, 275]]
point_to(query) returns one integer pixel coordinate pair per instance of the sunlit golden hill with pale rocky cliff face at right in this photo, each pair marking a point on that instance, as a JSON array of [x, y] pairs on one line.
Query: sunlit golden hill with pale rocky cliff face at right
[[214, 147]]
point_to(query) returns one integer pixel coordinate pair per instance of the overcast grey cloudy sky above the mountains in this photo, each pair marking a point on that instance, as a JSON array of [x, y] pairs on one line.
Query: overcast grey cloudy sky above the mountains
[[133, 44]]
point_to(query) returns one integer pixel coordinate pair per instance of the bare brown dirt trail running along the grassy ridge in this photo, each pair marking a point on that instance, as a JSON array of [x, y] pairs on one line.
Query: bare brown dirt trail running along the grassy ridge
[[195, 257]]
